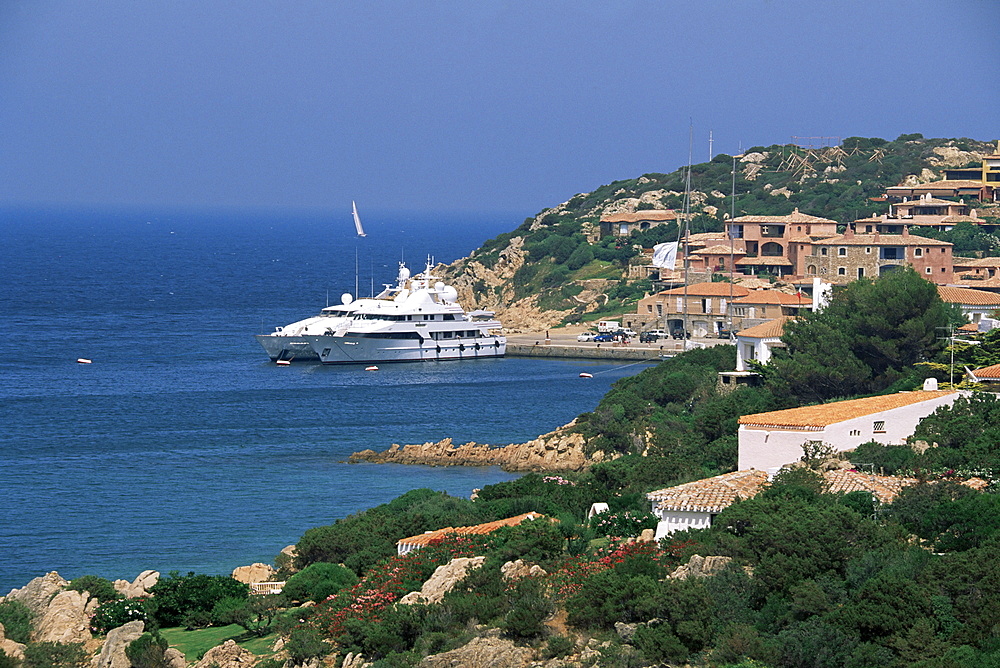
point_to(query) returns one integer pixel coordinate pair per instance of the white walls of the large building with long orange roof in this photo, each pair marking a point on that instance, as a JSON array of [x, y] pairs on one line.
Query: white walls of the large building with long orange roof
[[764, 449]]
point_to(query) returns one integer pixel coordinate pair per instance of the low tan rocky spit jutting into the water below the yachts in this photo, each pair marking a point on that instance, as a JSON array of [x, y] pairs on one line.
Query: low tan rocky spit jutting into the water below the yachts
[[560, 450]]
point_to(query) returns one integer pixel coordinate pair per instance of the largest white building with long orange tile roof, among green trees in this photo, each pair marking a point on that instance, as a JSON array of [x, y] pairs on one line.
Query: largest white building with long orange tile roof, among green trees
[[768, 441]]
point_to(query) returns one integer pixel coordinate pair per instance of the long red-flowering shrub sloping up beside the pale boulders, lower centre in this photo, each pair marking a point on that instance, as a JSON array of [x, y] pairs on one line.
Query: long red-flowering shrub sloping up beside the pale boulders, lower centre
[[387, 582]]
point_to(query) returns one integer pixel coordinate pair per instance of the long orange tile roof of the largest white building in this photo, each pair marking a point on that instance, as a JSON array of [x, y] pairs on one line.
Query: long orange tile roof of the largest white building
[[823, 415]]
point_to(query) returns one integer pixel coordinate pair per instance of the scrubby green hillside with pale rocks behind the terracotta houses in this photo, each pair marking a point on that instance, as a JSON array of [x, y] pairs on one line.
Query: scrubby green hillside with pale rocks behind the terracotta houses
[[551, 271]]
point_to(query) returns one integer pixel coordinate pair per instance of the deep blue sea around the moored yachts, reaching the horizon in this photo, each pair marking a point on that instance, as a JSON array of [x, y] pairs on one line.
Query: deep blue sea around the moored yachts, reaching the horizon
[[181, 447]]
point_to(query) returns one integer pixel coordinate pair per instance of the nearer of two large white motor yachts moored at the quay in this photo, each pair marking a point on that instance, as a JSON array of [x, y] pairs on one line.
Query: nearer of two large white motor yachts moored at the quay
[[418, 319]]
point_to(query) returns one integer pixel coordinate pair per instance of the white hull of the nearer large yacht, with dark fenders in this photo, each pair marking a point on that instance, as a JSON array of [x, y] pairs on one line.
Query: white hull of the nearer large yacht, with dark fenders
[[365, 350]]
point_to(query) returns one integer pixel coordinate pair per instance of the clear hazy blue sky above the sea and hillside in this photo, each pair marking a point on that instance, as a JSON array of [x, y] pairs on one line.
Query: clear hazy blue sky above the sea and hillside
[[457, 106]]
